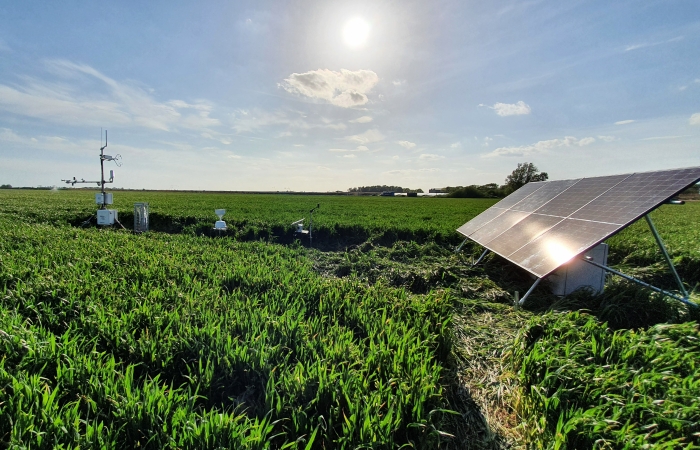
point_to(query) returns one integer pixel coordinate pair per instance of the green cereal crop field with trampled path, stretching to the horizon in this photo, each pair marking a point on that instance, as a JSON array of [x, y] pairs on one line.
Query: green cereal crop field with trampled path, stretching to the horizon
[[378, 337]]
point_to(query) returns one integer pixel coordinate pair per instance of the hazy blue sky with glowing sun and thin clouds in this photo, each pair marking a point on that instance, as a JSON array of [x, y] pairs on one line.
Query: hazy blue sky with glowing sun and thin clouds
[[329, 95]]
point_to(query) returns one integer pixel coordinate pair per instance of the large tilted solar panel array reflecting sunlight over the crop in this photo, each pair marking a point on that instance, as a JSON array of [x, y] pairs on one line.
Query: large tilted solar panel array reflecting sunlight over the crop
[[543, 225]]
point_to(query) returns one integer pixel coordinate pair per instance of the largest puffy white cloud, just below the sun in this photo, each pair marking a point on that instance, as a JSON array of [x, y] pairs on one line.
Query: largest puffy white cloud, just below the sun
[[345, 88]]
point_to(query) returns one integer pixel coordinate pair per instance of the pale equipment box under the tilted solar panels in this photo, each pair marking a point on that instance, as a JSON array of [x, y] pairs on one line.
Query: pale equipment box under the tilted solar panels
[[577, 274]]
